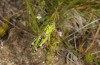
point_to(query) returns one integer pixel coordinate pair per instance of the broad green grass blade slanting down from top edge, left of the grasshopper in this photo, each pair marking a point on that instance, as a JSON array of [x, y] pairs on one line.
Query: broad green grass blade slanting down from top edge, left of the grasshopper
[[32, 19]]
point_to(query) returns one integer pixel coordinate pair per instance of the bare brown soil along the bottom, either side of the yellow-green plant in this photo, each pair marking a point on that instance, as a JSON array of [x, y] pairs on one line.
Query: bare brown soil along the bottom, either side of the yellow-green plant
[[17, 50]]
